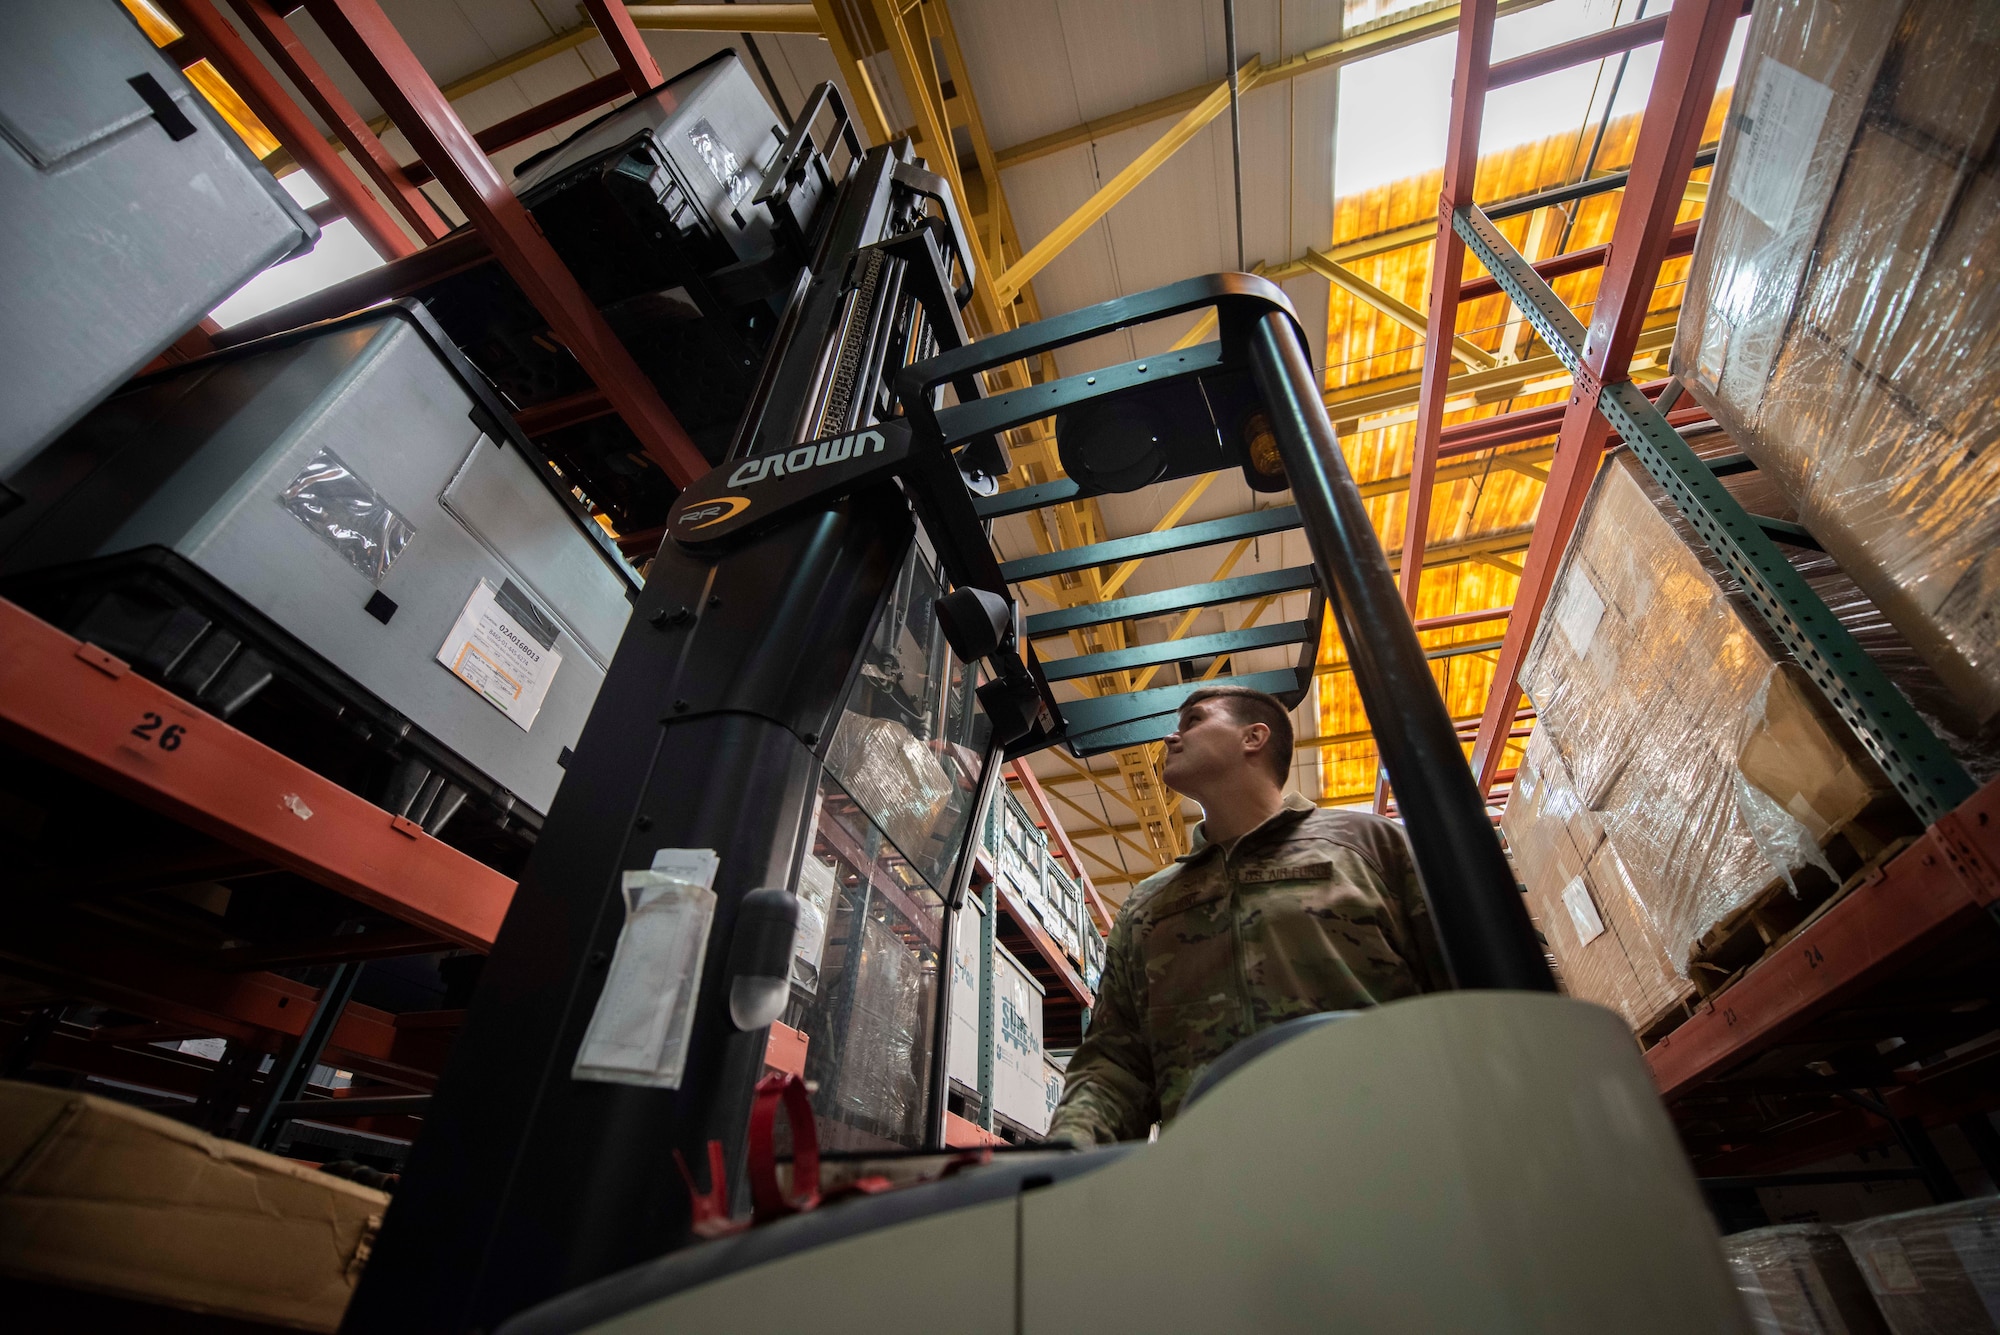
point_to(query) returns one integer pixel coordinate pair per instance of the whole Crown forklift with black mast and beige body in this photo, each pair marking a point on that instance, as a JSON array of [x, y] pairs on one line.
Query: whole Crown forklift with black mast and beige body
[[771, 816]]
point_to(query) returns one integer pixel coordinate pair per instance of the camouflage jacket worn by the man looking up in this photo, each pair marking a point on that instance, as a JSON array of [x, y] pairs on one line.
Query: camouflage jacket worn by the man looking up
[[1309, 912]]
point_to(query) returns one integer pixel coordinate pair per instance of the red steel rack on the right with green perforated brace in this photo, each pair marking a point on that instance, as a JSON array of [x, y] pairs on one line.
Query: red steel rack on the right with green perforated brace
[[1751, 1074]]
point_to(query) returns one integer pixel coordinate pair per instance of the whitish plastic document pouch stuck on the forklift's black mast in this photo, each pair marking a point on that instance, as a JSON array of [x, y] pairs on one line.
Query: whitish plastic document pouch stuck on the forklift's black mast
[[639, 1030]]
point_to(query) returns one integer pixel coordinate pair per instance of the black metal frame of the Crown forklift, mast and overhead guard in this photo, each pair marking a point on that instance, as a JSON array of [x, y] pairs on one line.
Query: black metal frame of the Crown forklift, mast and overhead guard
[[747, 639]]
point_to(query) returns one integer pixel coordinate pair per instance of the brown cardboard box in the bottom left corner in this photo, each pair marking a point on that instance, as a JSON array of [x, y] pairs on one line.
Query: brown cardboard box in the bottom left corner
[[109, 1198]]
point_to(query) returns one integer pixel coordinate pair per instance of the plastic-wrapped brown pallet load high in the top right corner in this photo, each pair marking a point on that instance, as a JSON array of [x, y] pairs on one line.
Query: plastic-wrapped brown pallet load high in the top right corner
[[1843, 311]]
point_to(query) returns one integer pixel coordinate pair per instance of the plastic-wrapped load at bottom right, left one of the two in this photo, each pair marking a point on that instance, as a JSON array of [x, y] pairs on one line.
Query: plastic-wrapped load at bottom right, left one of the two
[[1801, 1280]]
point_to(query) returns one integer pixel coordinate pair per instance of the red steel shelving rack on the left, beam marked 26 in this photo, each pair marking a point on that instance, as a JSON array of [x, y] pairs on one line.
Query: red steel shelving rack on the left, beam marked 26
[[213, 802]]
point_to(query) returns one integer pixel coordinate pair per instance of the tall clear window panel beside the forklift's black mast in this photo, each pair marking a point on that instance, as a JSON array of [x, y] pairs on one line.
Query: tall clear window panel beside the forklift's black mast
[[901, 786]]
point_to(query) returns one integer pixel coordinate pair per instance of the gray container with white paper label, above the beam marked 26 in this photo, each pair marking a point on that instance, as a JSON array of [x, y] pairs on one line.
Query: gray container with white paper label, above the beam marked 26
[[355, 485]]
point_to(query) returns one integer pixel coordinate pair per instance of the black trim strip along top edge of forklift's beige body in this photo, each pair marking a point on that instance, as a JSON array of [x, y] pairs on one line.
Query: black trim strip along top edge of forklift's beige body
[[709, 1262]]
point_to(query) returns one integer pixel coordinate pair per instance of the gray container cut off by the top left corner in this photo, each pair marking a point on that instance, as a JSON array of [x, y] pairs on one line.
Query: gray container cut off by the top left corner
[[127, 213]]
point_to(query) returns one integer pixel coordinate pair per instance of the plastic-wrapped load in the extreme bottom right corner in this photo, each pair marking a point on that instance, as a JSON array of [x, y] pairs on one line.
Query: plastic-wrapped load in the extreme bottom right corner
[[1933, 1272]]
